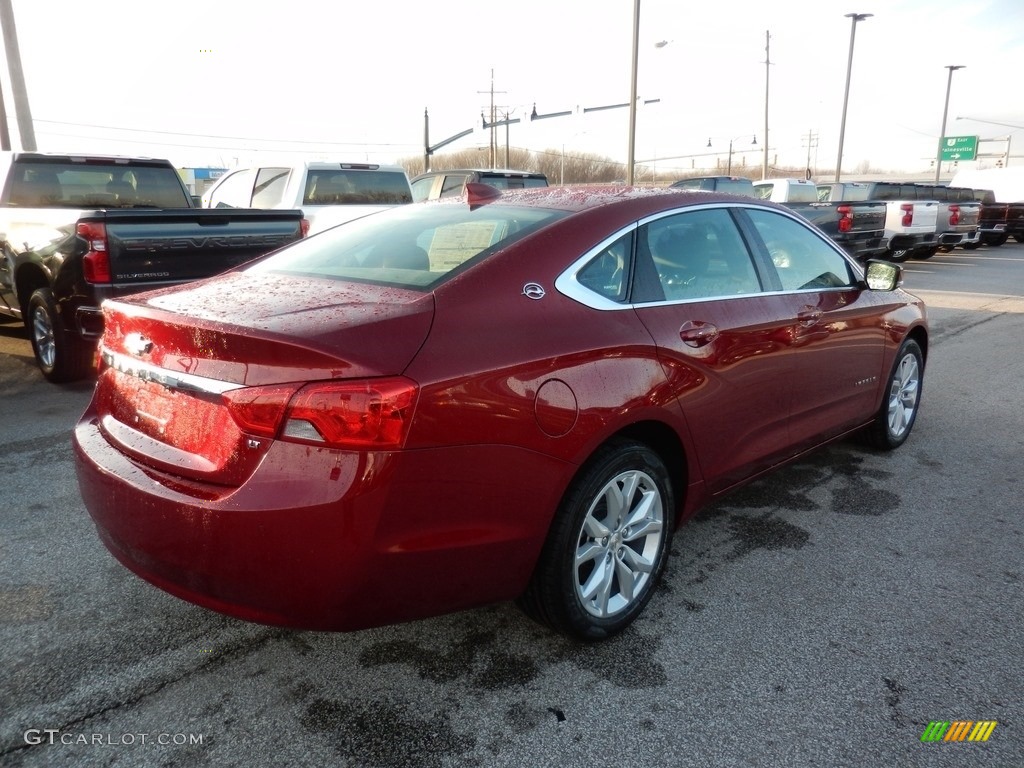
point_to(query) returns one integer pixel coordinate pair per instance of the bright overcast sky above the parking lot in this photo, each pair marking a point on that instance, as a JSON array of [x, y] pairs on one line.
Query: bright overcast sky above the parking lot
[[208, 82]]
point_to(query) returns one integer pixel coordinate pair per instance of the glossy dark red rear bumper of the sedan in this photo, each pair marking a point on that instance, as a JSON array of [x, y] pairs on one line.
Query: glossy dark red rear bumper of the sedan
[[328, 540]]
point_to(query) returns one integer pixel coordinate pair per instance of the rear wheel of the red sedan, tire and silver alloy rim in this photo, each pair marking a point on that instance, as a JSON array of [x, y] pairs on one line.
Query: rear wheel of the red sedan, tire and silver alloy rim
[[608, 545]]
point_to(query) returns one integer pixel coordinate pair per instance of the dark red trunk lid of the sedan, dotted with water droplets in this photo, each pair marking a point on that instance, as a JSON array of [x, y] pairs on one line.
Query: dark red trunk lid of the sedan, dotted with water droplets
[[197, 381]]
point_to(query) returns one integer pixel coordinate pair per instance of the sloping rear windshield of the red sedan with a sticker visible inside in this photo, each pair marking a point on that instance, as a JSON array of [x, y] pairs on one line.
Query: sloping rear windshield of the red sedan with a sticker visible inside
[[411, 246]]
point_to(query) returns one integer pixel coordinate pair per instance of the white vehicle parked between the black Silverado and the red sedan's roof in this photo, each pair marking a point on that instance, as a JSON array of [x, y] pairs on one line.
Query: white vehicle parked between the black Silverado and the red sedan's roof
[[328, 194]]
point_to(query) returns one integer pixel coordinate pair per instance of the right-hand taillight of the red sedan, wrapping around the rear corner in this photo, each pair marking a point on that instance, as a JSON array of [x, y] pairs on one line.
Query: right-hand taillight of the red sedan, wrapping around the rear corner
[[370, 414]]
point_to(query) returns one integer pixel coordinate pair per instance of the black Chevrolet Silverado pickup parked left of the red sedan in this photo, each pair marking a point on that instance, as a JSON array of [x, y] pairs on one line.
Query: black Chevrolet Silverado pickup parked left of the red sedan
[[78, 230]]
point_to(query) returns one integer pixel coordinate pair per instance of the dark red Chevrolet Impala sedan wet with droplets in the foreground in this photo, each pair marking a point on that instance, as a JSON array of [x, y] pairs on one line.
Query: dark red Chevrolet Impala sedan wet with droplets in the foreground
[[504, 397]]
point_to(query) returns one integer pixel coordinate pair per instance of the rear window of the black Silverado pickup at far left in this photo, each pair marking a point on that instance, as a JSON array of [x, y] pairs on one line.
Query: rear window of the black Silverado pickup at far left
[[95, 185]]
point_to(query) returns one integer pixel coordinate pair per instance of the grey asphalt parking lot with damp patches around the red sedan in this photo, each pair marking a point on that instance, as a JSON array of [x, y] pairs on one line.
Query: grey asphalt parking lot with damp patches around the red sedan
[[824, 616]]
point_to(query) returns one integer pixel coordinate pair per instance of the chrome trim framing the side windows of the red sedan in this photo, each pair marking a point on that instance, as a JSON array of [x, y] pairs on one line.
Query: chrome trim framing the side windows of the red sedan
[[568, 285]]
